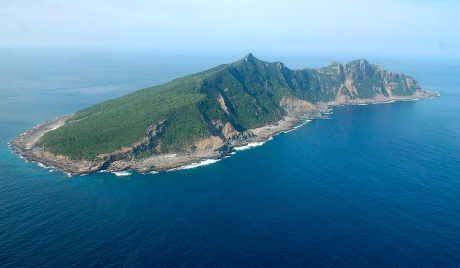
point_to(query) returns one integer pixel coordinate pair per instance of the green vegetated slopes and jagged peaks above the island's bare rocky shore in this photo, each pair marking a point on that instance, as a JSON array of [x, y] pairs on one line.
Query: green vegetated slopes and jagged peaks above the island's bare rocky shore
[[246, 94]]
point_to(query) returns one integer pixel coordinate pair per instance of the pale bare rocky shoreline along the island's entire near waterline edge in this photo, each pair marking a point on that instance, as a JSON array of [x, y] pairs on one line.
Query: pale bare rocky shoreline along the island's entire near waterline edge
[[25, 144]]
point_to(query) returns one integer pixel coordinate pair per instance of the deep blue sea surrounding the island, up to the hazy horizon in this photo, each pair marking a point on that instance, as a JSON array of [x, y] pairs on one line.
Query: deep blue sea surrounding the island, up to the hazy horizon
[[373, 185]]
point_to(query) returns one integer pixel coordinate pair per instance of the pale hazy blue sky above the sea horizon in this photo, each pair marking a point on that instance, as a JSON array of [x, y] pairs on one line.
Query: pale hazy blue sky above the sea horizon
[[403, 26]]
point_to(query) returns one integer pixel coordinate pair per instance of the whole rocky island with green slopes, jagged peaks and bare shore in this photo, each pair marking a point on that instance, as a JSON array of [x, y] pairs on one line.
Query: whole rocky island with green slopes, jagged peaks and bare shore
[[205, 115]]
